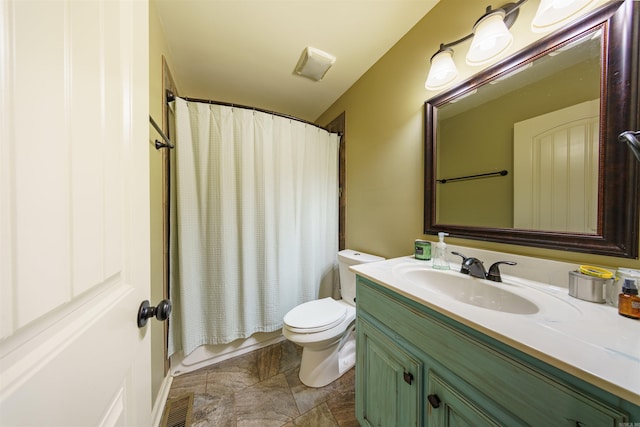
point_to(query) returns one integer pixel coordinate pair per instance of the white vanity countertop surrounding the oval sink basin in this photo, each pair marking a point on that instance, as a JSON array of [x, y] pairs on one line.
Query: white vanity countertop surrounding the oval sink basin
[[588, 340]]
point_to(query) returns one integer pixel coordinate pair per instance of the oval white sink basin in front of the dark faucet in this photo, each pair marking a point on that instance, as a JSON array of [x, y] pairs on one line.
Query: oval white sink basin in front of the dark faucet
[[469, 290]]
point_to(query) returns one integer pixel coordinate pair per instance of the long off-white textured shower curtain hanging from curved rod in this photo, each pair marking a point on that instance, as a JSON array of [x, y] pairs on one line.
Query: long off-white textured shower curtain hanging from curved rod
[[254, 221]]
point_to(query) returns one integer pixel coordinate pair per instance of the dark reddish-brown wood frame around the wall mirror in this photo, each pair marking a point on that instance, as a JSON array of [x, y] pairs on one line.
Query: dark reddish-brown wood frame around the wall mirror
[[619, 171]]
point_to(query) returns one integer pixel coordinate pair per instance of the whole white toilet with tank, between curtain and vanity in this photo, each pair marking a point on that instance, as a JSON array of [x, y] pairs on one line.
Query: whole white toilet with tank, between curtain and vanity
[[325, 328]]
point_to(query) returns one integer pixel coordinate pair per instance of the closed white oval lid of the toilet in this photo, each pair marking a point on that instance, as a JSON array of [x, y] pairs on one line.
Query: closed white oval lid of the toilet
[[315, 316]]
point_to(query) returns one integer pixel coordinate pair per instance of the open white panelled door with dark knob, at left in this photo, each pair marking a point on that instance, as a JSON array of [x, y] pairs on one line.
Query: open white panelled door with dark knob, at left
[[74, 220]]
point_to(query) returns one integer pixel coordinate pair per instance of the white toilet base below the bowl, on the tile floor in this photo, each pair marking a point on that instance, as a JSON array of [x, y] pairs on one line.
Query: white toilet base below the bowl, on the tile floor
[[321, 367]]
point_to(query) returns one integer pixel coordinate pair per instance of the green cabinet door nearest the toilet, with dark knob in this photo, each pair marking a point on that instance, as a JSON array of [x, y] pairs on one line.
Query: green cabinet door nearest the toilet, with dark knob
[[388, 381]]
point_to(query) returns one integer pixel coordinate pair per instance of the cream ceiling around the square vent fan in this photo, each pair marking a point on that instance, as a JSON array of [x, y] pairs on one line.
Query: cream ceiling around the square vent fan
[[244, 51]]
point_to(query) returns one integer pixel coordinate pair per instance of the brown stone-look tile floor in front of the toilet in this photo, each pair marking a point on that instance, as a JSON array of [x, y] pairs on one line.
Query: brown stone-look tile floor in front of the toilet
[[262, 389]]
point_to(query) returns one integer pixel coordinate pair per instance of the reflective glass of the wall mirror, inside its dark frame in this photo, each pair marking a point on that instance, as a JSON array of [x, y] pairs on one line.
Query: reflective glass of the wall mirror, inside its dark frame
[[555, 84]]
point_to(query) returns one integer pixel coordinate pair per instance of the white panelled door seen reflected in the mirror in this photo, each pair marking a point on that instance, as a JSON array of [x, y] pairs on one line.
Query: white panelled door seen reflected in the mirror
[[555, 168]]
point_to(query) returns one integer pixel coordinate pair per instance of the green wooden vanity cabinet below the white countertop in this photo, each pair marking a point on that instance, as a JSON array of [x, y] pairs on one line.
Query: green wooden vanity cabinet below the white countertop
[[418, 367]]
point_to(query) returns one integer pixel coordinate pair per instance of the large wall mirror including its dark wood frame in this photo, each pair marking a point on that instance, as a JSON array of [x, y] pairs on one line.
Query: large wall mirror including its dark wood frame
[[527, 151]]
